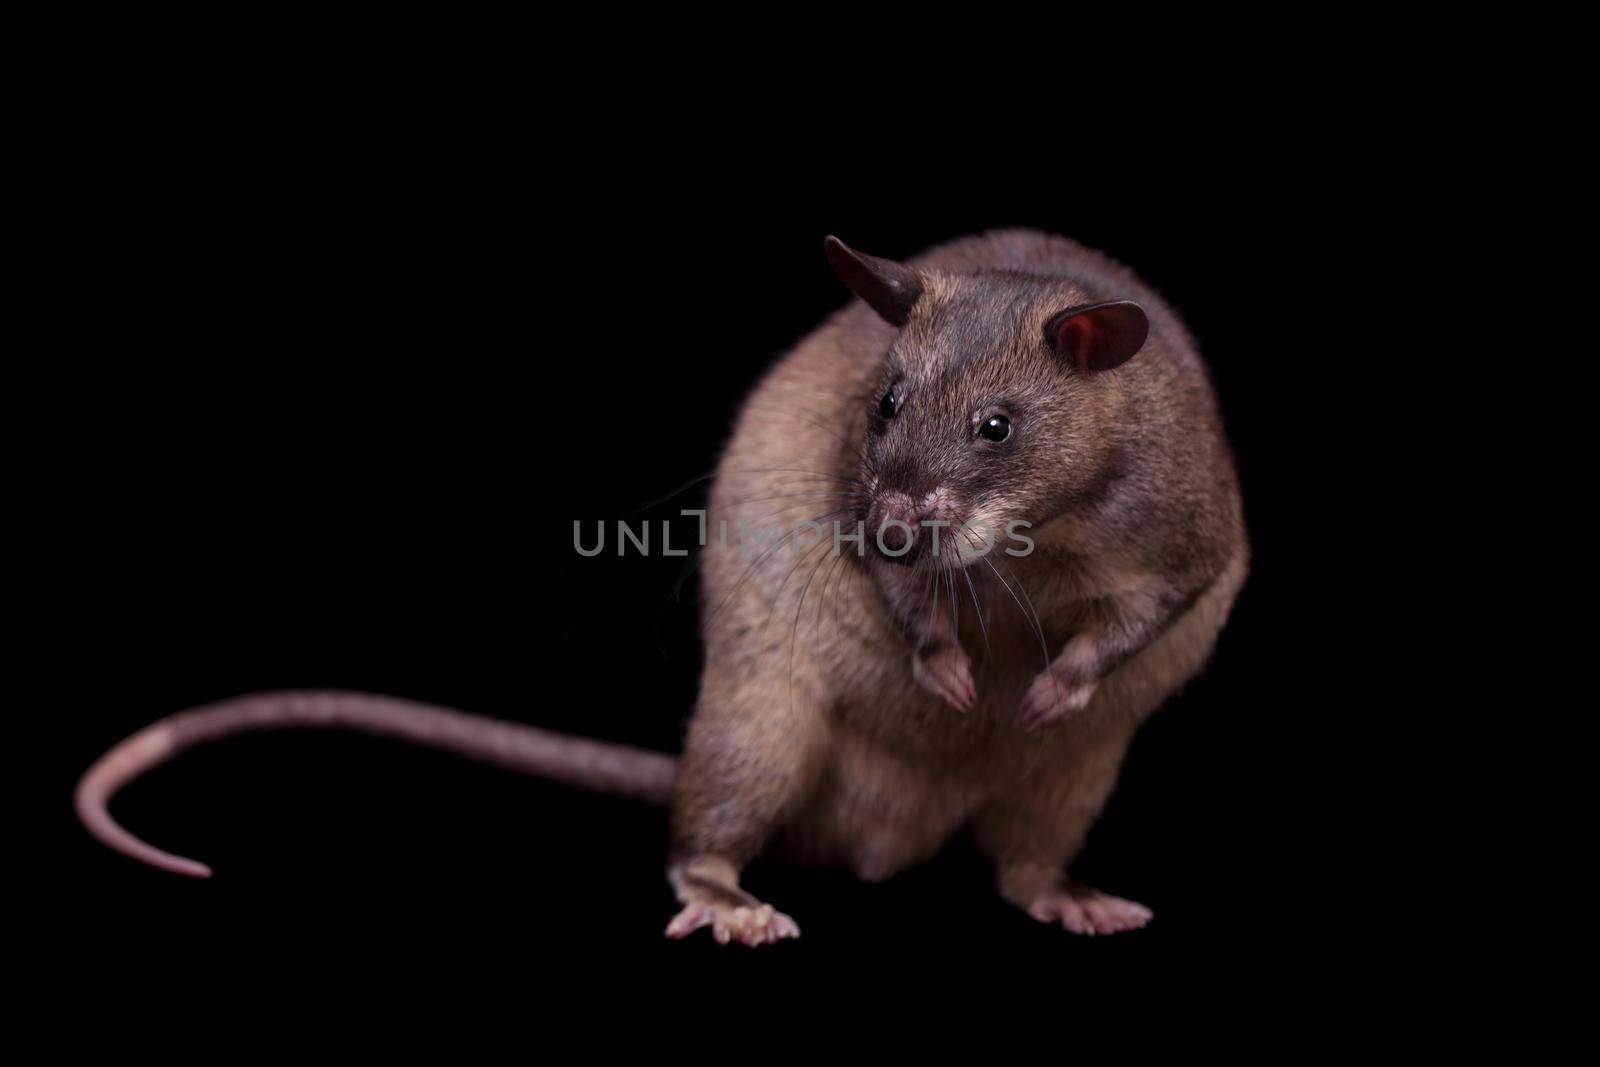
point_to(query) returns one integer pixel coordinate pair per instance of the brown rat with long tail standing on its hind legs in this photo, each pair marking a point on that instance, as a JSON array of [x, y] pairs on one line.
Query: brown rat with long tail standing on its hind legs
[[1014, 532]]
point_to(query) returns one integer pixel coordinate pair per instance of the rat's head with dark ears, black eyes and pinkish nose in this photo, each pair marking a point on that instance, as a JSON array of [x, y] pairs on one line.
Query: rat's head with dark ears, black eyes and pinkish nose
[[993, 407]]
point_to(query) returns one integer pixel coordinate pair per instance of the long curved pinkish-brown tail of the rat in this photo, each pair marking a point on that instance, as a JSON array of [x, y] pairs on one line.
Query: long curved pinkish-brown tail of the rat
[[596, 765]]
